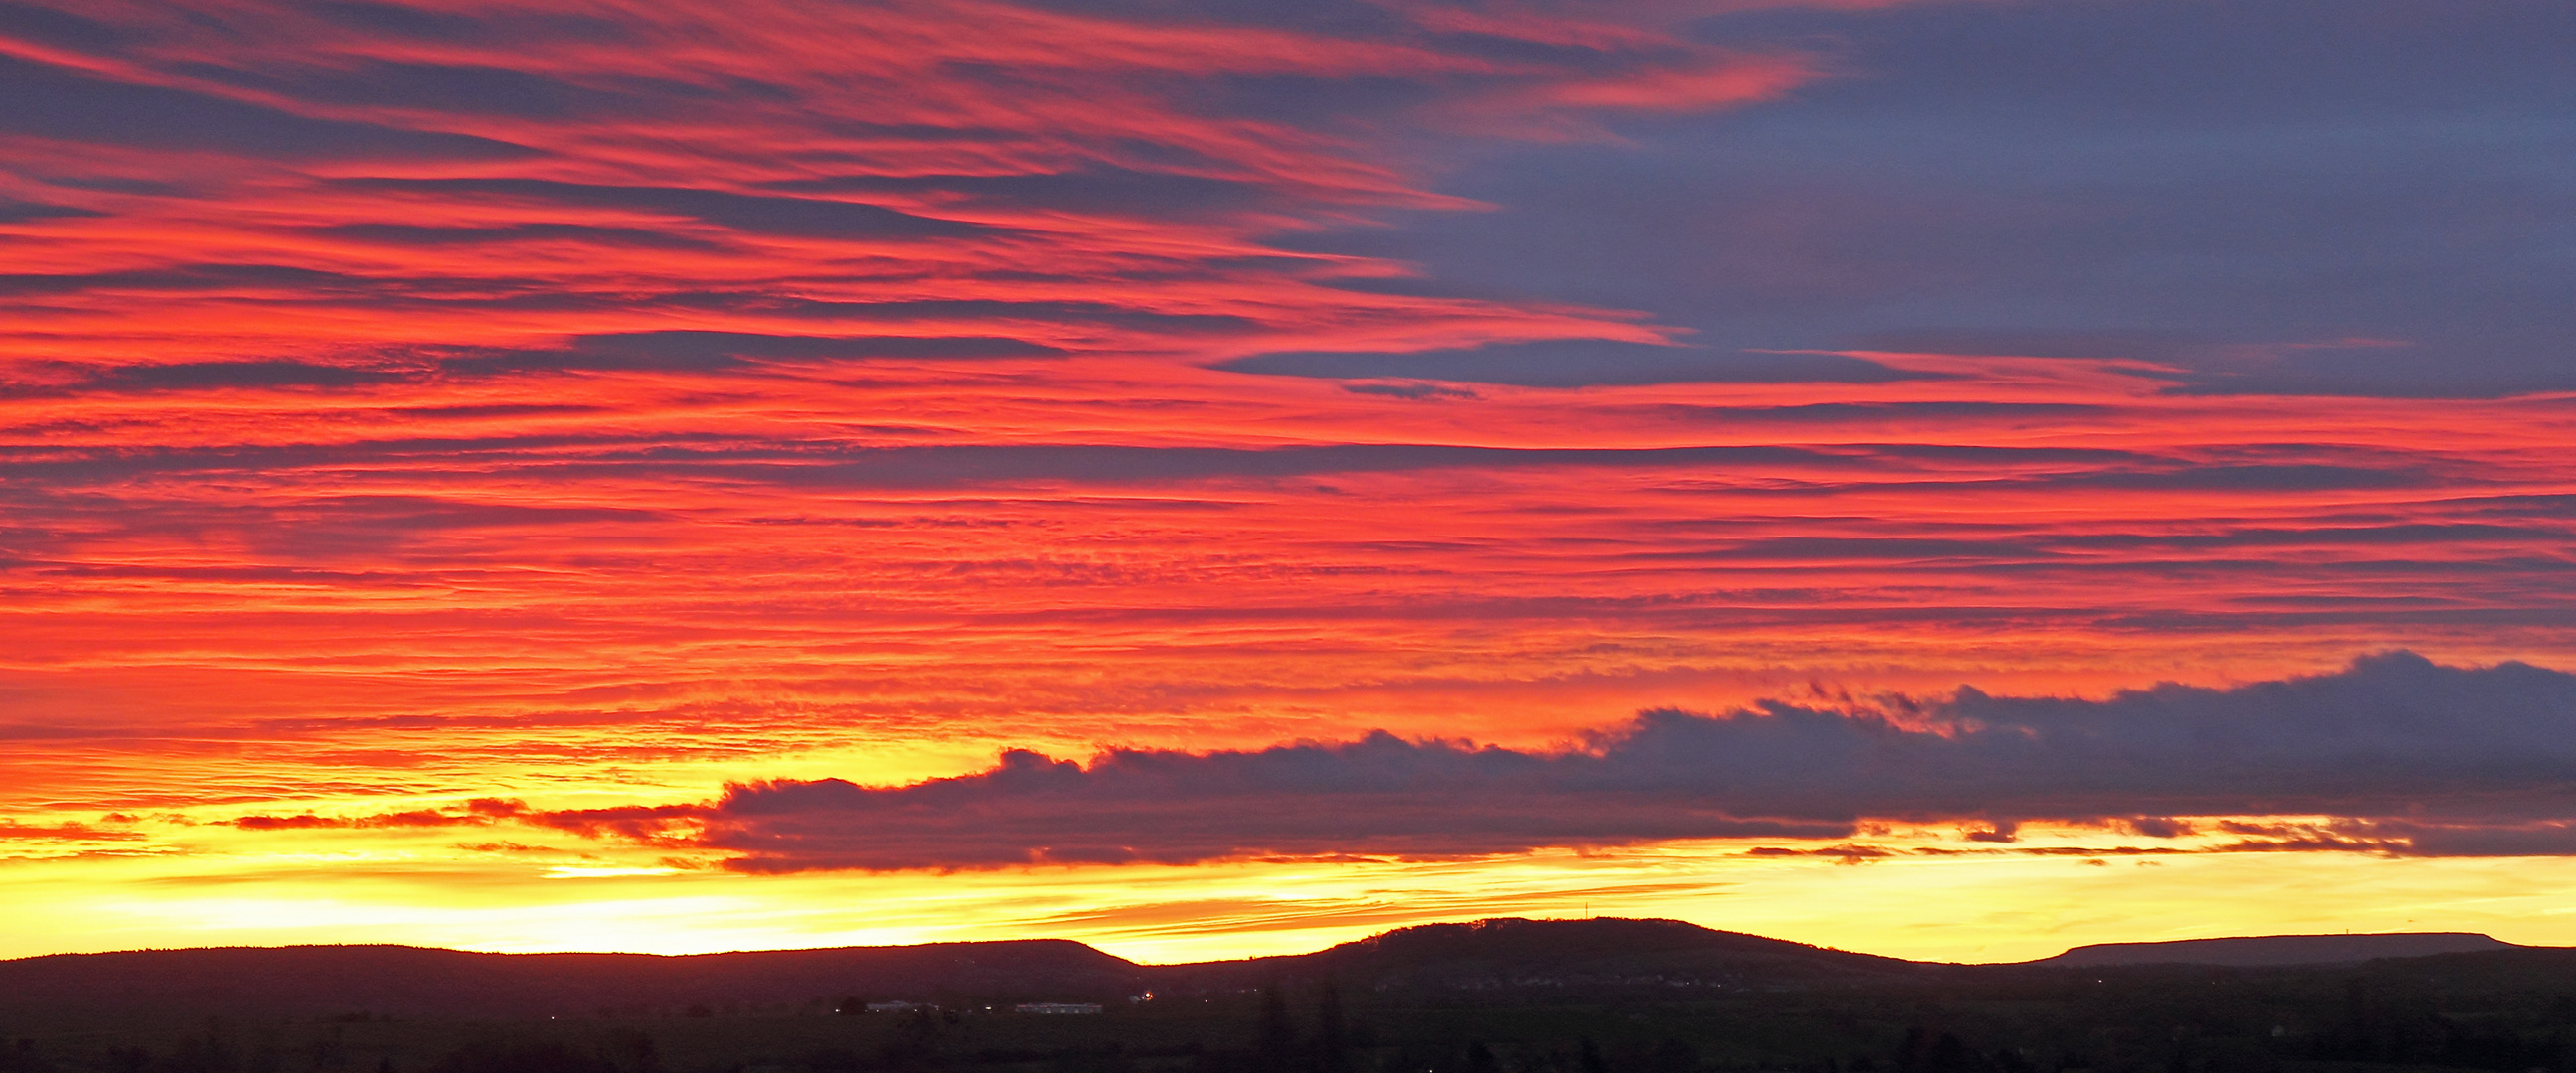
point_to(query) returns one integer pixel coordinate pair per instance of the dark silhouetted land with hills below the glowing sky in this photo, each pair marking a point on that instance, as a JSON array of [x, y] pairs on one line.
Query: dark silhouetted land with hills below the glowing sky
[[1501, 997]]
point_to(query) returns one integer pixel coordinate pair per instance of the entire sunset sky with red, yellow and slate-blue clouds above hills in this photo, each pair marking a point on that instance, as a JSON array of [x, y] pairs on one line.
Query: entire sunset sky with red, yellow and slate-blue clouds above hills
[[1931, 477]]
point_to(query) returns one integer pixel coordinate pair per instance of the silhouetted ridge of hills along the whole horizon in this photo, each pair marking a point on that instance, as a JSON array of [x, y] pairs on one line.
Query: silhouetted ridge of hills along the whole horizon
[[1498, 953]]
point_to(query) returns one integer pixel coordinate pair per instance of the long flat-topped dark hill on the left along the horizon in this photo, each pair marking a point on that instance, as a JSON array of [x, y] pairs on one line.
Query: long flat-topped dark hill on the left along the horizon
[[413, 982]]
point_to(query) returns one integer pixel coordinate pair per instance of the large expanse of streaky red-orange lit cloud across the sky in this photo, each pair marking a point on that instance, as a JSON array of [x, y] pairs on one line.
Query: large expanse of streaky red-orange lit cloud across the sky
[[452, 390]]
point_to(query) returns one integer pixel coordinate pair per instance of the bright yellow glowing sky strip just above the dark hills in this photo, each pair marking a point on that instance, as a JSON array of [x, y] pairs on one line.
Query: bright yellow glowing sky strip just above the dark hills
[[1972, 910]]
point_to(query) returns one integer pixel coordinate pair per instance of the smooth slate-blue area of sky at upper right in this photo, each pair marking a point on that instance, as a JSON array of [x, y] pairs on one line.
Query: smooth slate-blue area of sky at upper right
[[2304, 197]]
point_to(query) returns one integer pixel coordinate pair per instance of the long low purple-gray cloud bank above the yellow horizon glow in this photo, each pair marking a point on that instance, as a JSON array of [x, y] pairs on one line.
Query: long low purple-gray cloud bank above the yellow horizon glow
[[2420, 758]]
